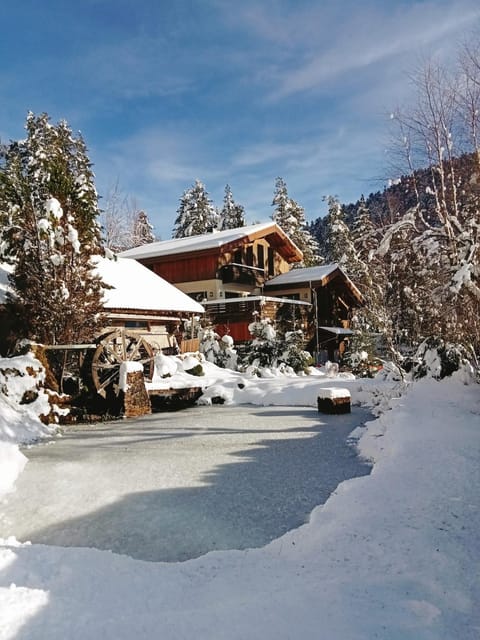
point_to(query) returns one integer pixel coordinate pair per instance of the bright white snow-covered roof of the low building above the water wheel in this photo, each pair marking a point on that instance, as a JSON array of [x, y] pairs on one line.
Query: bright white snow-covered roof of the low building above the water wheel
[[136, 287]]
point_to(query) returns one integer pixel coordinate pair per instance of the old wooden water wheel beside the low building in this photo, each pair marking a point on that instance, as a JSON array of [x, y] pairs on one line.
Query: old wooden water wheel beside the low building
[[114, 348]]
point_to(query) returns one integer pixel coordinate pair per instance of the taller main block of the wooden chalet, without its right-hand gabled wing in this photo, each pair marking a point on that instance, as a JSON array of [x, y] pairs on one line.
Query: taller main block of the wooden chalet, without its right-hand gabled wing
[[226, 271]]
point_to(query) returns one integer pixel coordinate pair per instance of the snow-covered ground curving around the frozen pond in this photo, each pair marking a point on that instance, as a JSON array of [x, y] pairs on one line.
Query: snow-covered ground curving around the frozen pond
[[391, 555]]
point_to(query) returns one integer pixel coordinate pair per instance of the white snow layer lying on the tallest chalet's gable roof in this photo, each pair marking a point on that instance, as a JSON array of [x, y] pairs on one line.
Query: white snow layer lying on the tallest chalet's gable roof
[[212, 240]]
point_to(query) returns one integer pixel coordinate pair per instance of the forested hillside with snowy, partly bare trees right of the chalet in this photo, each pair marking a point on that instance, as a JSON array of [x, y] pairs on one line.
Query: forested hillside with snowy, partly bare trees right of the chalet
[[413, 249]]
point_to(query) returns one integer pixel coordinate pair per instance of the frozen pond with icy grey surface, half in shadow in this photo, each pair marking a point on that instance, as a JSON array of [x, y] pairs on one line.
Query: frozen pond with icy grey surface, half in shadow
[[173, 486]]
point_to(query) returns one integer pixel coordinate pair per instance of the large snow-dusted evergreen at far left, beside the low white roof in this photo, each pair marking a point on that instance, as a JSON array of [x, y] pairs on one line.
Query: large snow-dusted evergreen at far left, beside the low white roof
[[49, 231]]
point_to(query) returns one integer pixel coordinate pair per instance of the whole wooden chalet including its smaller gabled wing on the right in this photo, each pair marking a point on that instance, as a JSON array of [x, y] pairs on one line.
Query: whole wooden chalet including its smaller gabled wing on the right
[[239, 272]]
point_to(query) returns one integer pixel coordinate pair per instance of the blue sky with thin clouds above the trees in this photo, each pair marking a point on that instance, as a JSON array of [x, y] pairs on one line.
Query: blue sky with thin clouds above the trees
[[238, 92]]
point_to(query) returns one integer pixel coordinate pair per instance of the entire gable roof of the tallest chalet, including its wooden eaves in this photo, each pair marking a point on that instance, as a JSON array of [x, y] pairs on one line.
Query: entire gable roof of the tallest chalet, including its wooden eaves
[[221, 240]]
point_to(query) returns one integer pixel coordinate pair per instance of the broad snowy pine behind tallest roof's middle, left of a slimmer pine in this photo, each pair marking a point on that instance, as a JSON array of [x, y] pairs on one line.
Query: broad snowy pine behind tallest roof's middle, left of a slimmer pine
[[196, 213]]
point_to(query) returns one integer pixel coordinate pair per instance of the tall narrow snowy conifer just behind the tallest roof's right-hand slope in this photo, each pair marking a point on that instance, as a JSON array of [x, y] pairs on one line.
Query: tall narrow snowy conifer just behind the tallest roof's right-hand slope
[[290, 216]]
